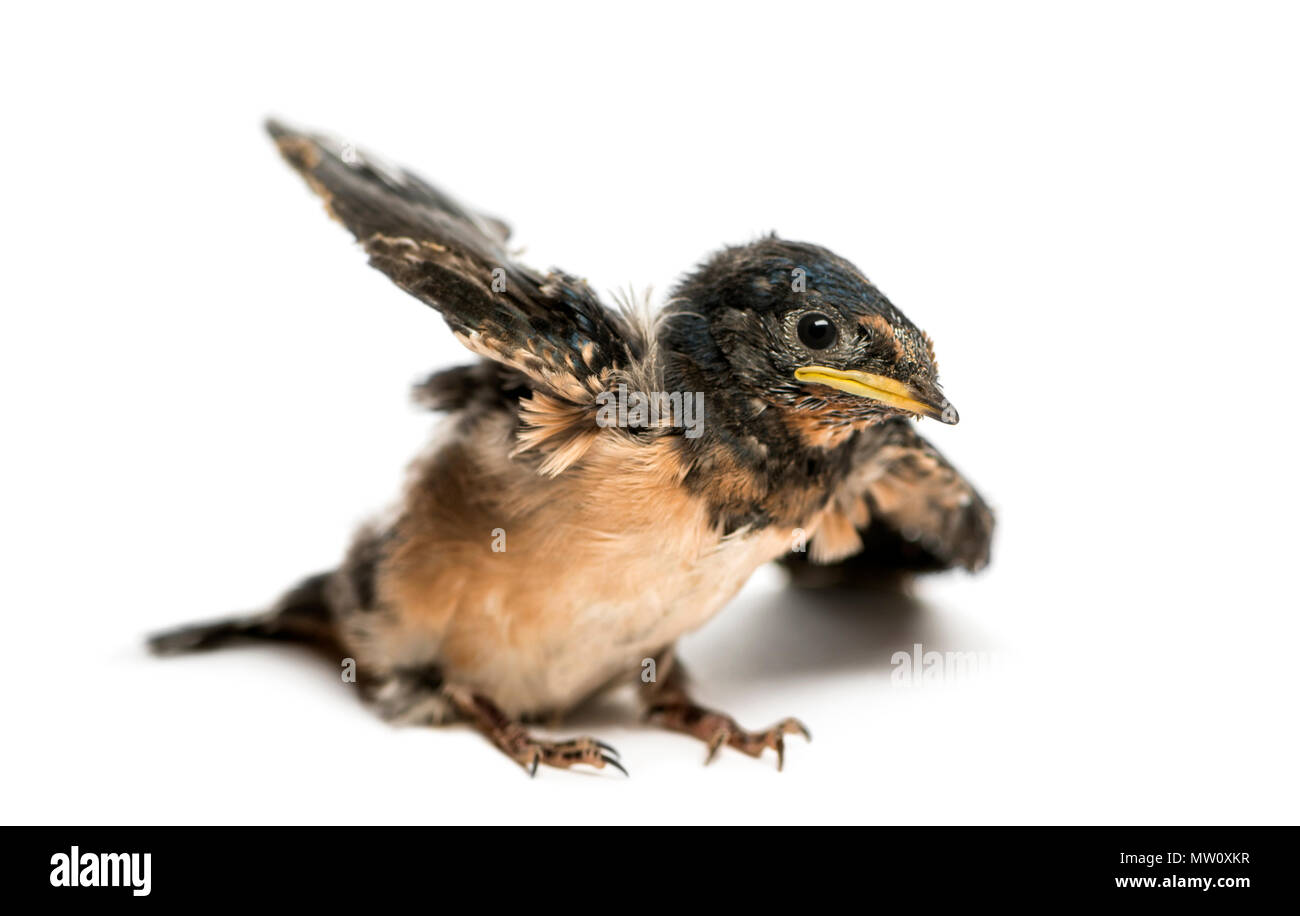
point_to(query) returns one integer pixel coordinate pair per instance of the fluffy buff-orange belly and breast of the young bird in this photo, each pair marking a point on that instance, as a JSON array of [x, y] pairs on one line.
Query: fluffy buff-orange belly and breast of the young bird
[[539, 592]]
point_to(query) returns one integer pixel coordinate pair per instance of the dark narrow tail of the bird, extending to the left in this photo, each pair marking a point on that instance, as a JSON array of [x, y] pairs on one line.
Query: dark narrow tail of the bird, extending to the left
[[302, 615]]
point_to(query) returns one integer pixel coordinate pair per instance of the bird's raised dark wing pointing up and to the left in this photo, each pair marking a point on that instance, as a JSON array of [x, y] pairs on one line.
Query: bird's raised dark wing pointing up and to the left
[[552, 328]]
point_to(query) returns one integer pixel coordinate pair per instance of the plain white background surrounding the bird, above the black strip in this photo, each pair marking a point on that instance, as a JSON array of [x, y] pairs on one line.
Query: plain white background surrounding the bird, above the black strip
[[1091, 207]]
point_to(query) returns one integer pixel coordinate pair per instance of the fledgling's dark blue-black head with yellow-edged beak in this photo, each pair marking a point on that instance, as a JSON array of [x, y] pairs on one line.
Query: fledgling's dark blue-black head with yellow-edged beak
[[803, 331]]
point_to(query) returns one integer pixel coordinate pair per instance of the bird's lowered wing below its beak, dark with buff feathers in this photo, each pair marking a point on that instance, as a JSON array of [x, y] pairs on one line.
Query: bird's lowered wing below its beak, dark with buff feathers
[[904, 509]]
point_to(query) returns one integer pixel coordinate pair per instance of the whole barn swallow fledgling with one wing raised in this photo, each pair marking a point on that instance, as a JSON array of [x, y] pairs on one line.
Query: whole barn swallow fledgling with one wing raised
[[606, 483]]
